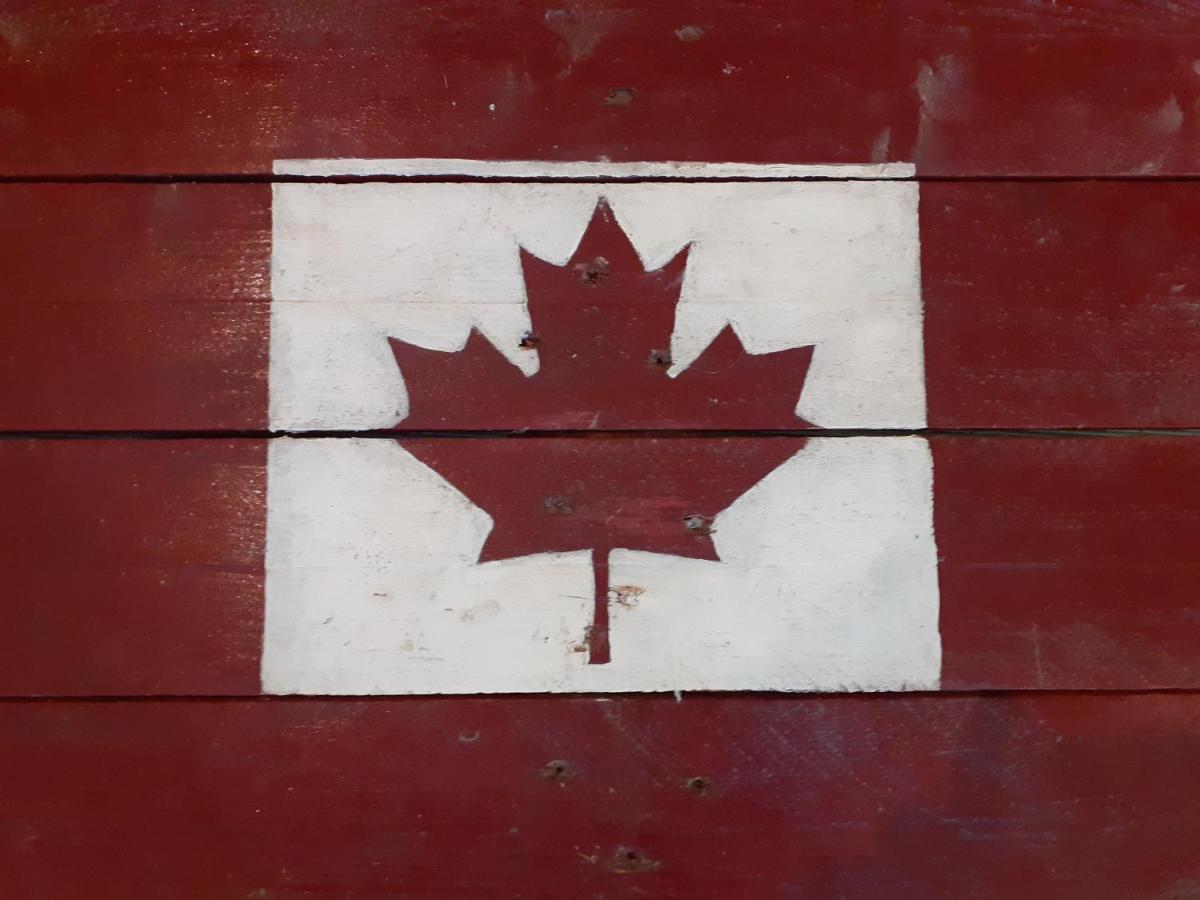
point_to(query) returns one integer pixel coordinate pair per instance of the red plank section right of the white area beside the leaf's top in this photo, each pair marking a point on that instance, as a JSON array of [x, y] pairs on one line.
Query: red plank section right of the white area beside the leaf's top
[[1065, 305]]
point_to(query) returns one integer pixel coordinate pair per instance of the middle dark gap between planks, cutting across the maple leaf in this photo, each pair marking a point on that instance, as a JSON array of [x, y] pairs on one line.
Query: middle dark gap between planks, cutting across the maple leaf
[[599, 435]]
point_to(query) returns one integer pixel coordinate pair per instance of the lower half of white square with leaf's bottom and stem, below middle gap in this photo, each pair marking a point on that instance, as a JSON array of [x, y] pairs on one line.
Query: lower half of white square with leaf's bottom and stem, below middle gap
[[667, 556]]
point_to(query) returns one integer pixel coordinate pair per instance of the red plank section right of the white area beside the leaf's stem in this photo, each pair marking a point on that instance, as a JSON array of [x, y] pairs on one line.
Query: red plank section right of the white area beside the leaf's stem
[[1069, 563]]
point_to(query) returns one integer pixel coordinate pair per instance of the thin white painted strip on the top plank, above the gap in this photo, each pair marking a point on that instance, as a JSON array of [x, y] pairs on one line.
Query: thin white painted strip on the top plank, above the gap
[[539, 170]]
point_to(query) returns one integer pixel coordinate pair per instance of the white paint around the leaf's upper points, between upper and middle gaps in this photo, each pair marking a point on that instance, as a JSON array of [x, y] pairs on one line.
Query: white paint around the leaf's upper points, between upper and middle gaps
[[790, 263]]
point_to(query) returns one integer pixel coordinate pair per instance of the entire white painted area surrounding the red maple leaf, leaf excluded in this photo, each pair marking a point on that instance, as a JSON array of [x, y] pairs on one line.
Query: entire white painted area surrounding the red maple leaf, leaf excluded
[[827, 579]]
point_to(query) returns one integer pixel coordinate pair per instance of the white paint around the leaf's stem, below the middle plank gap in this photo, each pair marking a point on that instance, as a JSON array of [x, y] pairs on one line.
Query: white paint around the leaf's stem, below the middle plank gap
[[827, 581]]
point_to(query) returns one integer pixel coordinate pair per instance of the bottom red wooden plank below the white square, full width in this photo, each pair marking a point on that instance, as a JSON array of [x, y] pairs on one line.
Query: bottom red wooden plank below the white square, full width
[[901, 797]]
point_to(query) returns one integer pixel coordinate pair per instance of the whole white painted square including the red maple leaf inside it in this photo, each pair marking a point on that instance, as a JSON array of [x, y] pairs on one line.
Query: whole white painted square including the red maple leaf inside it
[[598, 428]]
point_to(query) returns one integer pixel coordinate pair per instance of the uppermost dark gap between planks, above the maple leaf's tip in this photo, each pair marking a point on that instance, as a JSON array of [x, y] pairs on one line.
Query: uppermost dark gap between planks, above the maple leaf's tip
[[268, 179]]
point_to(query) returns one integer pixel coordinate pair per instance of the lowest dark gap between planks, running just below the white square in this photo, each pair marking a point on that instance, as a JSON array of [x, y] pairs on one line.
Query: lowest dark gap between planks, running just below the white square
[[531, 697]]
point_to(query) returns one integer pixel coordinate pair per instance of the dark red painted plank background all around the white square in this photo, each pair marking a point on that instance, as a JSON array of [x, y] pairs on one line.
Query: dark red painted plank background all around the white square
[[133, 567]]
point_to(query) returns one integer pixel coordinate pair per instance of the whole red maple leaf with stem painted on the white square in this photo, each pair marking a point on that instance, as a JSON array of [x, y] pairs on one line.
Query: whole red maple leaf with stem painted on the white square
[[602, 329]]
